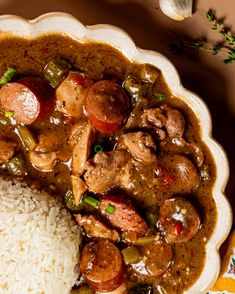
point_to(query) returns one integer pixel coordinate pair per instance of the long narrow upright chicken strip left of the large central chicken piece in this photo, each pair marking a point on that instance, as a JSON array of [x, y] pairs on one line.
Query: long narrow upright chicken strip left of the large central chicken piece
[[82, 139]]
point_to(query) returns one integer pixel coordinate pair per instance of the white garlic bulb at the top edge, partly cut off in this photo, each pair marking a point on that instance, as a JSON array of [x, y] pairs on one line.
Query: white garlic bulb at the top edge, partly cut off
[[177, 9]]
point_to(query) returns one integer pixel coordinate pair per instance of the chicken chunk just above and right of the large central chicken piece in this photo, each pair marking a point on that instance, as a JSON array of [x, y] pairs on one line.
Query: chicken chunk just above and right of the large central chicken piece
[[141, 146]]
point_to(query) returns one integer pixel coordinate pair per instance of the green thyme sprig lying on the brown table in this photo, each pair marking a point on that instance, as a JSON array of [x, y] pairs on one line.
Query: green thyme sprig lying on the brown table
[[225, 47]]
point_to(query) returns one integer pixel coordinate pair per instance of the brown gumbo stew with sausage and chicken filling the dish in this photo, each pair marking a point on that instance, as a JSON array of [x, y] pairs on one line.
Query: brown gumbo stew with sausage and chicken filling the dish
[[105, 133]]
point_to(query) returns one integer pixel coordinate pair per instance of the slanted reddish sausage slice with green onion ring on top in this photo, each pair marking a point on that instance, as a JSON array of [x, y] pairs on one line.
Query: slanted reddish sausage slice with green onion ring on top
[[125, 217]]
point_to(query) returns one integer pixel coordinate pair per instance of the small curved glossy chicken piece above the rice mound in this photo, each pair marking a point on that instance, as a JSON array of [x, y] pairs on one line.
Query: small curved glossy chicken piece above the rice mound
[[47, 161]]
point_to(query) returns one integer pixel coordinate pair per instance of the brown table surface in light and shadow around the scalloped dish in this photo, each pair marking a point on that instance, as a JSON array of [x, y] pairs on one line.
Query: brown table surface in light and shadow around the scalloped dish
[[150, 29]]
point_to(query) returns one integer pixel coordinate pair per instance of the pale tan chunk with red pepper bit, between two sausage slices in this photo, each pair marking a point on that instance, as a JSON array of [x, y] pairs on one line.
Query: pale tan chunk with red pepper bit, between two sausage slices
[[70, 95]]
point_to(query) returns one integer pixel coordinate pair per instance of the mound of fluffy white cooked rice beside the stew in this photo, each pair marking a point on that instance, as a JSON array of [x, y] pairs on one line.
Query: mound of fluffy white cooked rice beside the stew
[[39, 242]]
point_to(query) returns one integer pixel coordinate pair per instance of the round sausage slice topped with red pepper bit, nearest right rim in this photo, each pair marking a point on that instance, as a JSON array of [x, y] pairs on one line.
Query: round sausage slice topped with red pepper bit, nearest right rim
[[179, 221]]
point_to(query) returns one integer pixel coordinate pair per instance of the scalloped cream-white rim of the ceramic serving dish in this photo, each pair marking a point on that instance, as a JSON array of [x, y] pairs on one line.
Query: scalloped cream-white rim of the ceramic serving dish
[[66, 24]]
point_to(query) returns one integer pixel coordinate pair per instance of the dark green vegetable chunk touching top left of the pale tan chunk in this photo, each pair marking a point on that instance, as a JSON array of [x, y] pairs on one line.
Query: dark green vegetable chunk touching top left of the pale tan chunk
[[55, 71]]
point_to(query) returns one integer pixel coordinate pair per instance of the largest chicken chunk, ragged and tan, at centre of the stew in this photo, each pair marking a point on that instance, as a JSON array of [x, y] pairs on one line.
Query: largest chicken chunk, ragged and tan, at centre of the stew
[[106, 169]]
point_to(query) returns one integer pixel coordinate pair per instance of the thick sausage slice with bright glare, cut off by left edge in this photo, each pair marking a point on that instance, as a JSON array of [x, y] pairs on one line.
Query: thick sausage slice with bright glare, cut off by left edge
[[31, 99]]
